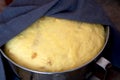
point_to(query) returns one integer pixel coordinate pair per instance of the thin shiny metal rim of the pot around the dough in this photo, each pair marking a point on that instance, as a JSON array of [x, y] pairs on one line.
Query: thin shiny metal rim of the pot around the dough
[[107, 30]]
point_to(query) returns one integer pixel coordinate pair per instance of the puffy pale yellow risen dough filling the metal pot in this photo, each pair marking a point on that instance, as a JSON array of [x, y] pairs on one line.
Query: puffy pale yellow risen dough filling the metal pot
[[54, 45]]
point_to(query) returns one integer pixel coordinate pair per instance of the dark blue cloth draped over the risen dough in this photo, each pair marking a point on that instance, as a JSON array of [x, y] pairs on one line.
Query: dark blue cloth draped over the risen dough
[[22, 13]]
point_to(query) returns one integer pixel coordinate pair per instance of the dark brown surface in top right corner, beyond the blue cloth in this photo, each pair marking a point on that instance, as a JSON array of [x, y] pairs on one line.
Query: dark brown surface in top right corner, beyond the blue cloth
[[112, 9]]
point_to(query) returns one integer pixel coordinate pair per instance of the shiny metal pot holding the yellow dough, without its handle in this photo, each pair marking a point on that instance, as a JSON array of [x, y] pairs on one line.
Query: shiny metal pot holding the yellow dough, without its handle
[[72, 74]]
